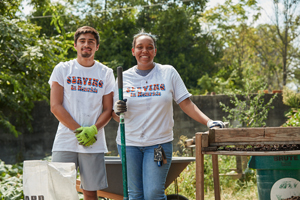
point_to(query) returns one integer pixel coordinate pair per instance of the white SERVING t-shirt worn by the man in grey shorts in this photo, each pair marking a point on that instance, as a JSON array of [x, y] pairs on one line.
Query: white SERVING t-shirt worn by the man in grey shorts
[[84, 88]]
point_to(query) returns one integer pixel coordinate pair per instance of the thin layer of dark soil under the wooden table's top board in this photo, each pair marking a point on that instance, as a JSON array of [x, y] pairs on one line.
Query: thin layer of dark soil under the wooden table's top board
[[276, 147]]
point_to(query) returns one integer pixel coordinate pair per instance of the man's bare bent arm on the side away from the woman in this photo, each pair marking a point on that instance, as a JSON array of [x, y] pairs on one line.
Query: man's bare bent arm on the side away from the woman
[[56, 101]]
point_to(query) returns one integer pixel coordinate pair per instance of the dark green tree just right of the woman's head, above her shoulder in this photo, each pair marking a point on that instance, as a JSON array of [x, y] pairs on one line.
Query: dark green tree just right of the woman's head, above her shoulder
[[181, 45]]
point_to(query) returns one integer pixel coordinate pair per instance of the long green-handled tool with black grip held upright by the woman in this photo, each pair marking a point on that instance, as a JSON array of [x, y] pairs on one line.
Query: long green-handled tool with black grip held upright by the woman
[[122, 131]]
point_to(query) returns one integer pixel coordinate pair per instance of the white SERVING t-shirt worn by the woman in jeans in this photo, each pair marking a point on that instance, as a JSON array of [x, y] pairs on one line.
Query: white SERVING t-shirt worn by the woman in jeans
[[149, 116]]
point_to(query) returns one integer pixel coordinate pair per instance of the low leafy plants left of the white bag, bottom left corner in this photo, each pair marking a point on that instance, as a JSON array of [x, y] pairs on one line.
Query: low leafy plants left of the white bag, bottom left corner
[[11, 181]]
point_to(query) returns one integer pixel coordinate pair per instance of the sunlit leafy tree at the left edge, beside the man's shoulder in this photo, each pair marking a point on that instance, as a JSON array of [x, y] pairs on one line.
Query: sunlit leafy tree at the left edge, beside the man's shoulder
[[26, 64]]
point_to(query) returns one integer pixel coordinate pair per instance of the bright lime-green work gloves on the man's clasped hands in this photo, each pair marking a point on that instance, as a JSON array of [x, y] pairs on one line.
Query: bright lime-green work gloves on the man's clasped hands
[[86, 135]]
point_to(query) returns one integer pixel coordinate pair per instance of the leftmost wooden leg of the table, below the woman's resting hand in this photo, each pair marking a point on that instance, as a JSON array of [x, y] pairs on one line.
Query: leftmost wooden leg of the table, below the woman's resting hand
[[199, 168]]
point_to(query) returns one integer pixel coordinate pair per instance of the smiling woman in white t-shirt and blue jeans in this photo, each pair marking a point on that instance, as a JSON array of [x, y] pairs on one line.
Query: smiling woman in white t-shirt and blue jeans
[[150, 89]]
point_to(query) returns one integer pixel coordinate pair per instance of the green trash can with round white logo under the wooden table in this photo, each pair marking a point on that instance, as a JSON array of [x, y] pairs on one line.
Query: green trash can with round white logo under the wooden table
[[277, 176]]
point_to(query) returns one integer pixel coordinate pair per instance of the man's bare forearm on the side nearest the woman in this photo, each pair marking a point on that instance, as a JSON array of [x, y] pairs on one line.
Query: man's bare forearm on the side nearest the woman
[[105, 116]]
